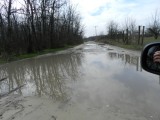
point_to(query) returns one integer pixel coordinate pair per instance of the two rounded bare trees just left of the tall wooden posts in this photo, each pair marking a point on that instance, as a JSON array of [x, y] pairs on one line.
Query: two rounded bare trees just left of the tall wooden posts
[[126, 34]]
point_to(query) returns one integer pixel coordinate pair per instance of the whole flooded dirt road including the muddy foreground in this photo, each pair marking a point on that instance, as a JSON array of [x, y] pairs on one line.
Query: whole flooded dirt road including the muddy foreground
[[88, 82]]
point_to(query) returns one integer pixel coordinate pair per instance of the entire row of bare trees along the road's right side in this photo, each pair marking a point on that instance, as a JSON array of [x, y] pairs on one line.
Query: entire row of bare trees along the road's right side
[[132, 33]]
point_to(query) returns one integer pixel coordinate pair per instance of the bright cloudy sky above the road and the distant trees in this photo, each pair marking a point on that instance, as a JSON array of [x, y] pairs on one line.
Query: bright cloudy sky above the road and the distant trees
[[100, 12]]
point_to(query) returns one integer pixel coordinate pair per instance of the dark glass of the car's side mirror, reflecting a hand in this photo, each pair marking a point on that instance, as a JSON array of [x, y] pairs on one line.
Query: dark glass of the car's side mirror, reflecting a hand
[[150, 59]]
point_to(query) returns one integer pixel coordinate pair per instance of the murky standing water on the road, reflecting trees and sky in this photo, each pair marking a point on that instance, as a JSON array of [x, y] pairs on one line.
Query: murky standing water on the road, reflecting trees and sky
[[100, 79]]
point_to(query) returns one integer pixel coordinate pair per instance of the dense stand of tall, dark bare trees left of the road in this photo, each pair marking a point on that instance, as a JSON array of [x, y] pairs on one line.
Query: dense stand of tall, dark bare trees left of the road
[[35, 25]]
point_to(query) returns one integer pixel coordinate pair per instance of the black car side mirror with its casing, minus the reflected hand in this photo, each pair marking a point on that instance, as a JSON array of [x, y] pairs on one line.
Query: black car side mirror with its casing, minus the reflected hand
[[147, 62]]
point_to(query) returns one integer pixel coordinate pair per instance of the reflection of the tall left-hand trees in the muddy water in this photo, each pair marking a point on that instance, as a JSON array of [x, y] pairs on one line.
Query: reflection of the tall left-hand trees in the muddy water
[[43, 76]]
